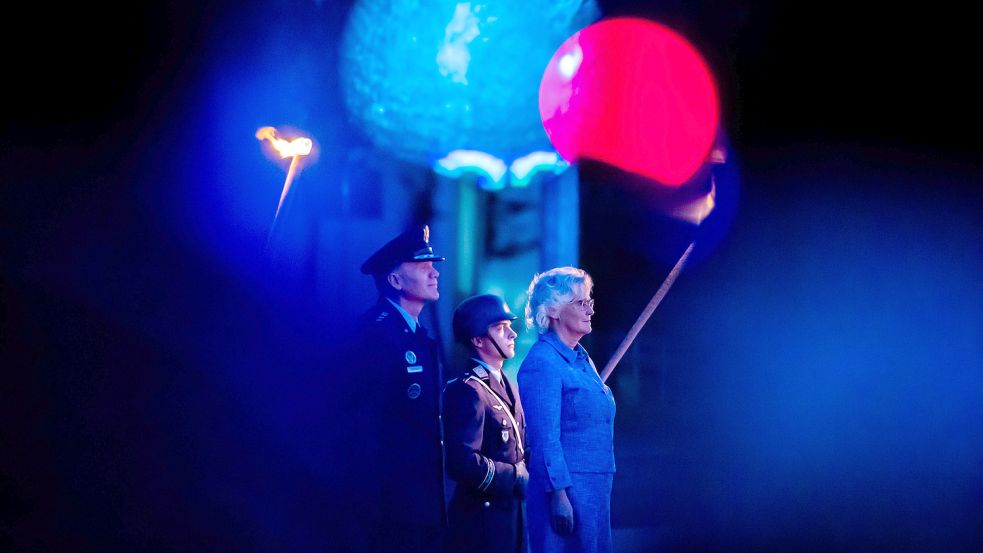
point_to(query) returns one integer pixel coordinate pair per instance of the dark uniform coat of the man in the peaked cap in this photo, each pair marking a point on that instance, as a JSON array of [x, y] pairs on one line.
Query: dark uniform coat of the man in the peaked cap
[[395, 455]]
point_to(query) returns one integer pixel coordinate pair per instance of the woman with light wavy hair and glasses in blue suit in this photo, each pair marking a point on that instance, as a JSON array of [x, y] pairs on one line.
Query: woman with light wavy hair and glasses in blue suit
[[570, 420]]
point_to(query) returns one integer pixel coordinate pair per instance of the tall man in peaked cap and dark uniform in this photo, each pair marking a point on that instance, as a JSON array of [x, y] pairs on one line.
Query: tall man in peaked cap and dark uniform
[[397, 474]]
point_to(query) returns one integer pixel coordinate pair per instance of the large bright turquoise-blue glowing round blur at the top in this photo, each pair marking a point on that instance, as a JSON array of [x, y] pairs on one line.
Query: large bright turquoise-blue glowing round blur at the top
[[423, 79]]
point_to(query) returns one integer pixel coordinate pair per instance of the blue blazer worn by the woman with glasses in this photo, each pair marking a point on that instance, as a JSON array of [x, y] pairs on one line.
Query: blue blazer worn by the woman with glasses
[[569, 414]]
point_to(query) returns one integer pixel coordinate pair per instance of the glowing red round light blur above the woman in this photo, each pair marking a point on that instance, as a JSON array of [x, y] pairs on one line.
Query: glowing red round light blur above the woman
[[634, 94]]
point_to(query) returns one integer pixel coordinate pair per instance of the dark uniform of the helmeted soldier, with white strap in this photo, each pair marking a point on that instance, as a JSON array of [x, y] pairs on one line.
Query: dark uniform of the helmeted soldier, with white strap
[[484, 444]]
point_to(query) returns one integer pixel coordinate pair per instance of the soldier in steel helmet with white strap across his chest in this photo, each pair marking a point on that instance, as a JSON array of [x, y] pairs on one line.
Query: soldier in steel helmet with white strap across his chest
[[485, 435]]
